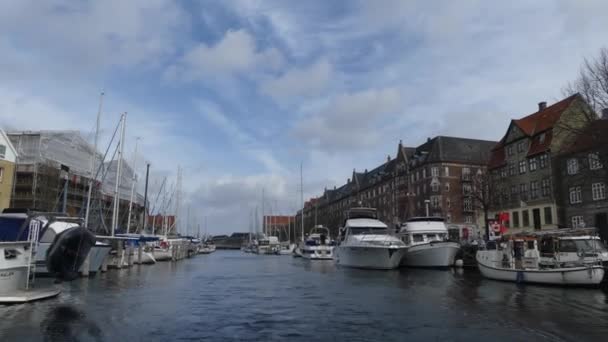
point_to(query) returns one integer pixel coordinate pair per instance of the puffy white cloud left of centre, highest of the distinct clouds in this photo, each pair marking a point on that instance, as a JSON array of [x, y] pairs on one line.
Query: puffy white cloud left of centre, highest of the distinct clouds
[[235, 53]]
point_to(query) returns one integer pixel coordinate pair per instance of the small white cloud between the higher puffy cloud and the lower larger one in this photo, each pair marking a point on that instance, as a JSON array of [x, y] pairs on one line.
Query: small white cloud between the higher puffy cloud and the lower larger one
[[306, 81]]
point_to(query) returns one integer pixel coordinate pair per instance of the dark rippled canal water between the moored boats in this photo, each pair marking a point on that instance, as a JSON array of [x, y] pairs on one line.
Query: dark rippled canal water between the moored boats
[[232, 296]]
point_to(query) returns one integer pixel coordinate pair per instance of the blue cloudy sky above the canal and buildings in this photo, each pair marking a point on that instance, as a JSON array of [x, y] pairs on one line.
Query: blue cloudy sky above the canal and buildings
[[240, 93]]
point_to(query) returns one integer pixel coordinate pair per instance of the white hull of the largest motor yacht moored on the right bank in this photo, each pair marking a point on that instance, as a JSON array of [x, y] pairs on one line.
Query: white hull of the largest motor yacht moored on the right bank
[[380, 258]]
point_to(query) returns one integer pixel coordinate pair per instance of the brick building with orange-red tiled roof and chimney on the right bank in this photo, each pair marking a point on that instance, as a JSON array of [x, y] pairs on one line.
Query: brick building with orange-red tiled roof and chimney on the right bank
[[523, 178]]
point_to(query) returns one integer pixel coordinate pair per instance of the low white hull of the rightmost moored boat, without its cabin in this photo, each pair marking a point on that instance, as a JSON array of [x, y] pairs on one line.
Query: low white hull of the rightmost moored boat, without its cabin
[[572, 276]]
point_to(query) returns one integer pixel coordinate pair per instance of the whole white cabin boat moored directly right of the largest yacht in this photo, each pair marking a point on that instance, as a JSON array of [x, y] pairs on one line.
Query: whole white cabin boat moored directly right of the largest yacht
[[427, 243]]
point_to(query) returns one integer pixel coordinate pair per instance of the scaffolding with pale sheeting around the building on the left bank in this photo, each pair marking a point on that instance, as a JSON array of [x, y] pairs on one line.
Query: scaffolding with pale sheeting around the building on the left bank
[[49, 159]]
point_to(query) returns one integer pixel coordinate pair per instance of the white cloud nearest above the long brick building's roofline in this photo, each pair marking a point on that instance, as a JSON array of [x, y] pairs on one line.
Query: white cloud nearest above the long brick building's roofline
[[351, 120]]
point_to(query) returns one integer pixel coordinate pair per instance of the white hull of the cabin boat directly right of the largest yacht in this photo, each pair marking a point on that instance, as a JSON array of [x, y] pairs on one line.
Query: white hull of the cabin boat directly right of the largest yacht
[[433, 254]]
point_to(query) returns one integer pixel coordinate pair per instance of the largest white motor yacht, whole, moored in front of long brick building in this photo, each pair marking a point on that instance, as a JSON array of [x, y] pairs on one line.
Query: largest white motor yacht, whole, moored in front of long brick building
[[367, 243]]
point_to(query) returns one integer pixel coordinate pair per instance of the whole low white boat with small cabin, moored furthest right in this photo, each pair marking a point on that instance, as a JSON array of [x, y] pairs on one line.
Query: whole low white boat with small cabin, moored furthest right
[[517, 260]]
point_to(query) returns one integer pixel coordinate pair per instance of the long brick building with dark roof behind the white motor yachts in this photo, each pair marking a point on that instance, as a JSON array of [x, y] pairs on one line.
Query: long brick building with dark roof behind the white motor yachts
[[399, 187]]
